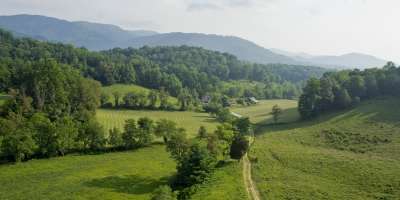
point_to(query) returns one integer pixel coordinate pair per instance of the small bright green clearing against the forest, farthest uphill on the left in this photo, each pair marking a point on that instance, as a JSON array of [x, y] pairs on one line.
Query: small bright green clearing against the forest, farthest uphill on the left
[[124, 89]]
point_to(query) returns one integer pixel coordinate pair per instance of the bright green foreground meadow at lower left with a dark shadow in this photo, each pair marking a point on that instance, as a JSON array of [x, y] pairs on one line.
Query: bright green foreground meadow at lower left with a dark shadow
[[124, 175]]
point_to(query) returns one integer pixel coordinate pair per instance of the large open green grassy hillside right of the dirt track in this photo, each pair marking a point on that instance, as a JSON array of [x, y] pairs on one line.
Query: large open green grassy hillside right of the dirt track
[[297, 161]]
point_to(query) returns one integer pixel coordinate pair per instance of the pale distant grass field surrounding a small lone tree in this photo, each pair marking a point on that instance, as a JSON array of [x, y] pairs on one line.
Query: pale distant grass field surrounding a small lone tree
[[260, 113]]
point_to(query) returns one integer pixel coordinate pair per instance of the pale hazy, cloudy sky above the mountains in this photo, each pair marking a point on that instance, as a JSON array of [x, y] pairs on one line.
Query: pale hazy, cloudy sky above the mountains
[[313, 26]]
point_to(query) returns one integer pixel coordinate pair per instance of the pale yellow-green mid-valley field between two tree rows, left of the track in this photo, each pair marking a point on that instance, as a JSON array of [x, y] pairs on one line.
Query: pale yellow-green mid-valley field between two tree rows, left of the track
[[189, 120]]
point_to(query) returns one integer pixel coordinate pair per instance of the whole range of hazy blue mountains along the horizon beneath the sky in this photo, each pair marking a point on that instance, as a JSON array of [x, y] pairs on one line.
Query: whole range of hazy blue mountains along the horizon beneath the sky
[[97, 36]]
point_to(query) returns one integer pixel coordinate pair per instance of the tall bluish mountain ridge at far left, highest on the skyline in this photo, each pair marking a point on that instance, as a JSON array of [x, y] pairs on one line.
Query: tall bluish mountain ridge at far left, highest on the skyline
[[90, 35]]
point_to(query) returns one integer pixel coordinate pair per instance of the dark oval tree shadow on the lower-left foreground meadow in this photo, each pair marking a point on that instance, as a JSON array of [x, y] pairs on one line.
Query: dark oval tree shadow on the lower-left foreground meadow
[[133, 184]]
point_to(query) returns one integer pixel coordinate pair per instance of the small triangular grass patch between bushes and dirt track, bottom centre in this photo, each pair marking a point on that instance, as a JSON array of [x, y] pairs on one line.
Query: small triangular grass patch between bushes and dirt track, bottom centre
[[225, 183]]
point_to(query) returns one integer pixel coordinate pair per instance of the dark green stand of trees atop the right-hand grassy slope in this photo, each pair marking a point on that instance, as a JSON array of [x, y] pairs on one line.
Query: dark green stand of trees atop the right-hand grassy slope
[[338, 90]]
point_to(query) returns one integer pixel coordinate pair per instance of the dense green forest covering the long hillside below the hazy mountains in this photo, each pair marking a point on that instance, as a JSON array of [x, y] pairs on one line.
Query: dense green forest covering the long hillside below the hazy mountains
[[173, 68]]
